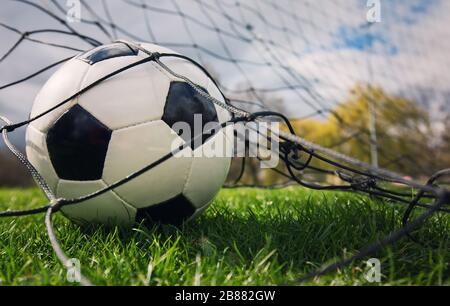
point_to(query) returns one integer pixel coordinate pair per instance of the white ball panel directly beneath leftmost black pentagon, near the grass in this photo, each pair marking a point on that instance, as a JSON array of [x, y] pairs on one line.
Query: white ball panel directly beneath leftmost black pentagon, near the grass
[[107, 208]]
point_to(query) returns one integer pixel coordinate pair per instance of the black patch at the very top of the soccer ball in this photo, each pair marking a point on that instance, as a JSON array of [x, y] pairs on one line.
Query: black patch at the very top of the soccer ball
[[108, 51]]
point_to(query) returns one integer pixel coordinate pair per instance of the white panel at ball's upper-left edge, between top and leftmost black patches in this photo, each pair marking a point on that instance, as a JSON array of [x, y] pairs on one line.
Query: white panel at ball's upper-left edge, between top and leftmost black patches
[[64, 83]]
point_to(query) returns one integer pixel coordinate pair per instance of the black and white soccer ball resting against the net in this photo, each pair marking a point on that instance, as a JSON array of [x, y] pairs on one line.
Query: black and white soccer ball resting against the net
[[120, 126]]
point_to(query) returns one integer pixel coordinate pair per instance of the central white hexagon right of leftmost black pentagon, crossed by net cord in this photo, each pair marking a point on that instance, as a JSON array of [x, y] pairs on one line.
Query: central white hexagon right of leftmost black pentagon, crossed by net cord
[[133, 148]]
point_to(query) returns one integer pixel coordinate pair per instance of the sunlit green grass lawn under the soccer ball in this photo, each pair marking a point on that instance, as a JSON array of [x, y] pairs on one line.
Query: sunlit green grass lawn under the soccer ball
[[246, 237]]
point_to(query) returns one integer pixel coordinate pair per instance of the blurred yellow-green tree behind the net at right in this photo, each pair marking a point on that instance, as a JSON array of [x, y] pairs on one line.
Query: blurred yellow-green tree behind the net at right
[[403, 130]]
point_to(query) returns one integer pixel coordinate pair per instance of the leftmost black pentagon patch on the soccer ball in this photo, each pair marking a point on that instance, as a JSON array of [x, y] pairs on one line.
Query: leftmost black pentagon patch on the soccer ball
[[77, 144]]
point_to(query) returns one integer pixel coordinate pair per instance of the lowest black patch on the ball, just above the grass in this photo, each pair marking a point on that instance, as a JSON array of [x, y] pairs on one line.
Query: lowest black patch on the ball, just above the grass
[[174, 211]]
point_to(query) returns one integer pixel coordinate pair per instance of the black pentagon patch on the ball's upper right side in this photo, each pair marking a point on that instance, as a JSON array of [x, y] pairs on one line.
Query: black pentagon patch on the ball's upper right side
[[182, 104]]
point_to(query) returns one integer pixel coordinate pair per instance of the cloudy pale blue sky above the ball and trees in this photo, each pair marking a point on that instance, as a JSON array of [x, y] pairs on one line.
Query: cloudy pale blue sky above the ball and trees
[[307, 53]]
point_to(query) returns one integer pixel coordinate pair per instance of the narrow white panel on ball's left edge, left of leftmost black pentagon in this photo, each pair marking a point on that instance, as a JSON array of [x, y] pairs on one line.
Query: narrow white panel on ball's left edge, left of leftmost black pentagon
[[37, 153]]
